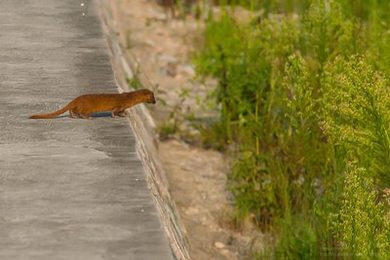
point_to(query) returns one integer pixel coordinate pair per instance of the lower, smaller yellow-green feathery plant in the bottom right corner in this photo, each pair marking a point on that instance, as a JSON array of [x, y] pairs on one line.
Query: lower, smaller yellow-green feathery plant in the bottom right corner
[[363, 227]]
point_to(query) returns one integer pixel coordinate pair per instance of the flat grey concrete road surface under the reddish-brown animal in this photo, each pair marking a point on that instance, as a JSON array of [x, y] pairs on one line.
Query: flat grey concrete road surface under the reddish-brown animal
[[69, 188]]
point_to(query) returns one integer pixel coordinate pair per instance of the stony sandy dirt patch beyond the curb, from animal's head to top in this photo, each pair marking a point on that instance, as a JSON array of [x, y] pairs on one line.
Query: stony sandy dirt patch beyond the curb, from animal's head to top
[[163, 48]]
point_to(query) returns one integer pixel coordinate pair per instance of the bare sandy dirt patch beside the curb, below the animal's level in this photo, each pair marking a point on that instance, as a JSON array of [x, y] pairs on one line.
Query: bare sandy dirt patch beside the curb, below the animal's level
[[197, 179]]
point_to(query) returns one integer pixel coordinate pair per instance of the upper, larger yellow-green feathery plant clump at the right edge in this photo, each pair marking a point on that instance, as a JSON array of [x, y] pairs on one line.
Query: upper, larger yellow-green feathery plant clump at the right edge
[[357, 113]]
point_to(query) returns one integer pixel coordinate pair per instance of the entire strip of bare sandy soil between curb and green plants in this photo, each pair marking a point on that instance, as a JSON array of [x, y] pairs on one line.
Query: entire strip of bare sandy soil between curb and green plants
[[197, 177]]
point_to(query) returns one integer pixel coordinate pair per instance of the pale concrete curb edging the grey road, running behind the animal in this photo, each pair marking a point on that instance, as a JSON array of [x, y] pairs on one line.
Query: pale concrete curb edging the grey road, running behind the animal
[[143, 125]]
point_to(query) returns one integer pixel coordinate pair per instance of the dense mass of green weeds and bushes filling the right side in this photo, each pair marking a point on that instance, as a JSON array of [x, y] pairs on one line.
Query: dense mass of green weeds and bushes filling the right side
[[304, 98]]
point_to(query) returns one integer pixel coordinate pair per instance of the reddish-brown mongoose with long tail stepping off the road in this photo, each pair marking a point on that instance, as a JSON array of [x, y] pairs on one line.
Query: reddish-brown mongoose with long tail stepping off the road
[[83, 106]]
